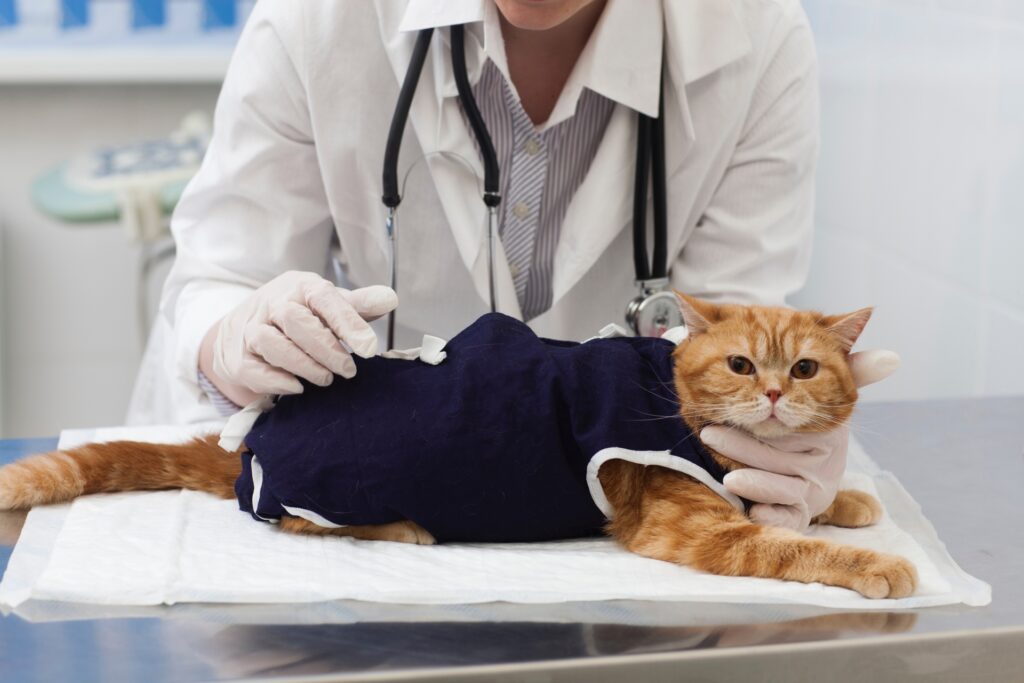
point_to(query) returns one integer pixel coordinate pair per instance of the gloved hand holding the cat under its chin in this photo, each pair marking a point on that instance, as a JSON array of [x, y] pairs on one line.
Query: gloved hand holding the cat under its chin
[[794, 479]]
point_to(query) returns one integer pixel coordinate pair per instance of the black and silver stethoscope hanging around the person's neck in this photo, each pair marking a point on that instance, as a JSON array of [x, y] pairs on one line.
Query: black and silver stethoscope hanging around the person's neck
[[656, 309]]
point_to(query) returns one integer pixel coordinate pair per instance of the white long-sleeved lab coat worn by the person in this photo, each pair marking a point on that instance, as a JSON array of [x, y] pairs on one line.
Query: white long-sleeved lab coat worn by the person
[[296, 158]]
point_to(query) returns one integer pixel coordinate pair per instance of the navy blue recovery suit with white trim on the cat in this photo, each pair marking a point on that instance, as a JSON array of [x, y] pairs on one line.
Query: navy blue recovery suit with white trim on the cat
[[493, 445]]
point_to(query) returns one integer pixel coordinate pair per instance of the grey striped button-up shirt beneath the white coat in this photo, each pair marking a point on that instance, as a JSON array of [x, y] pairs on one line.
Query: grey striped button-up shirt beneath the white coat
[[540, 174]]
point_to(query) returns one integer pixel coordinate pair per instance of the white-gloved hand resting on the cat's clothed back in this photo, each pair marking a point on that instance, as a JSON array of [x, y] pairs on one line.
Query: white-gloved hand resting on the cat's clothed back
[[293, 327]]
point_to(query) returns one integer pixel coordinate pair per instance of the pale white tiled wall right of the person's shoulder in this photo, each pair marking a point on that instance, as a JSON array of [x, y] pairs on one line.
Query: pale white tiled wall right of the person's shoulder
[[921, 196]]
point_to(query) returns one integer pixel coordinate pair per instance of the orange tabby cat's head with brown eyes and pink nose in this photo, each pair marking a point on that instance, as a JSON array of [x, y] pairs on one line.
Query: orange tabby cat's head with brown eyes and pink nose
[[767, 371]]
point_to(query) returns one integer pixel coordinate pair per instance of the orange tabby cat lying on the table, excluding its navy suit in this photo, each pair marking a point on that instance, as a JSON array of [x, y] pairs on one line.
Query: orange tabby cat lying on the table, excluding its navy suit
[[733, 360]]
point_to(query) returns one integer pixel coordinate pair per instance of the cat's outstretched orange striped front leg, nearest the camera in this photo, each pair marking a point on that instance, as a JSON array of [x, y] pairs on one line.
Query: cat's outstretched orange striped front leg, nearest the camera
[[684, 522]]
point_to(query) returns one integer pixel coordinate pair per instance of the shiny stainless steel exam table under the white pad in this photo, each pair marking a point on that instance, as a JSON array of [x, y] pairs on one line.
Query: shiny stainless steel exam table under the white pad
[[962, 460]]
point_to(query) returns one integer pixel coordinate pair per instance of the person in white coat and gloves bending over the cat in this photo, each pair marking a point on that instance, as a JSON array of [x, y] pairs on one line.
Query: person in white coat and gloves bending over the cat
[[288, 201]]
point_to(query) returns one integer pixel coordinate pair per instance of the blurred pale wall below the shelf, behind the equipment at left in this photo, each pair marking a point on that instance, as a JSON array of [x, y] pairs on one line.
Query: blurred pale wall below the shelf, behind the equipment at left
[[68, 332]]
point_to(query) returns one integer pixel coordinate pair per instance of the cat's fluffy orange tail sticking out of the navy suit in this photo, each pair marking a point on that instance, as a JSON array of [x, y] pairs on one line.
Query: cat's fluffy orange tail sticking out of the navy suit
[[64, 476]]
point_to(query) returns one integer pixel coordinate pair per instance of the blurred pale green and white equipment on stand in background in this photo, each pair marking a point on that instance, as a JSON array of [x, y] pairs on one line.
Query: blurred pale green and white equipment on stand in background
[[138, 184]]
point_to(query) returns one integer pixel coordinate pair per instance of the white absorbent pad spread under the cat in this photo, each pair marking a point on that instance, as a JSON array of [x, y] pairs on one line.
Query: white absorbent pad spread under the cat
[[175, 547]]
